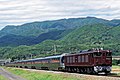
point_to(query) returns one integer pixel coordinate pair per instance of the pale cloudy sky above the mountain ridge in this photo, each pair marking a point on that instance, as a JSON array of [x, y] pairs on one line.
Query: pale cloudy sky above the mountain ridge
[[17, 12]]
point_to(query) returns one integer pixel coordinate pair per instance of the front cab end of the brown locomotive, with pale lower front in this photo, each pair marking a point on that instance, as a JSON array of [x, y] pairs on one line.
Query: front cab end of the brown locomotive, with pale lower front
[[102, 61]]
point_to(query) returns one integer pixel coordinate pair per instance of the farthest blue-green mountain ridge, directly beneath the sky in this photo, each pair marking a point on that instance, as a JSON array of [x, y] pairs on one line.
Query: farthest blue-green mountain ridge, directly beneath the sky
[[37, 28]]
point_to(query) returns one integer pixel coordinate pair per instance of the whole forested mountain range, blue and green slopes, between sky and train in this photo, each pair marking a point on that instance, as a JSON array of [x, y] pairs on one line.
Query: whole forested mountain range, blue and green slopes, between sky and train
[[71, 35]]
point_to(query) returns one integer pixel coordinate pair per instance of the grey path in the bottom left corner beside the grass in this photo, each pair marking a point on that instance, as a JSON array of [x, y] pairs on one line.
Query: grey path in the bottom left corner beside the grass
[[9, 75]]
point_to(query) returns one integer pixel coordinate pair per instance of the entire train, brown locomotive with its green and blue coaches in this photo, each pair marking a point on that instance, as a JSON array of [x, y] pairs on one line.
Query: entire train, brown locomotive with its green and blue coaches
[[91, 61]]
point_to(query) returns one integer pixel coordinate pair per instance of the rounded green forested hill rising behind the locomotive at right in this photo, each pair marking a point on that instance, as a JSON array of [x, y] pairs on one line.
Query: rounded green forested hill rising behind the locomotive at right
[[97, 35]]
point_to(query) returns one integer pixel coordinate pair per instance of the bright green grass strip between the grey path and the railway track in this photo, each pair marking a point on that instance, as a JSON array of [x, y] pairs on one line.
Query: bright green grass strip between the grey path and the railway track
[[41, 75]]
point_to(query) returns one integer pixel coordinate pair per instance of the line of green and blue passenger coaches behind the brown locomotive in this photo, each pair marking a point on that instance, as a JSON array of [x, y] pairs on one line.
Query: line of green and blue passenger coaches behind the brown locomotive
[[46, 63]]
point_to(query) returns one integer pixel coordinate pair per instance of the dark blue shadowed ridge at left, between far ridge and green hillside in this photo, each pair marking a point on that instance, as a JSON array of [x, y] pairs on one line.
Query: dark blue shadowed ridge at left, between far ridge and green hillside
[[16, 40]]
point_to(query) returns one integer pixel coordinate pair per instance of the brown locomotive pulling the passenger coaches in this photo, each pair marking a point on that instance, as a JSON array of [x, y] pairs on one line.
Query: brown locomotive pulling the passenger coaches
[[93, 61]]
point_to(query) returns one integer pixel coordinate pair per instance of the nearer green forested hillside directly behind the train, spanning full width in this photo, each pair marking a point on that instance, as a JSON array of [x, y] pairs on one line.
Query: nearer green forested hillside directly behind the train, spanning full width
[[86, 37]]
